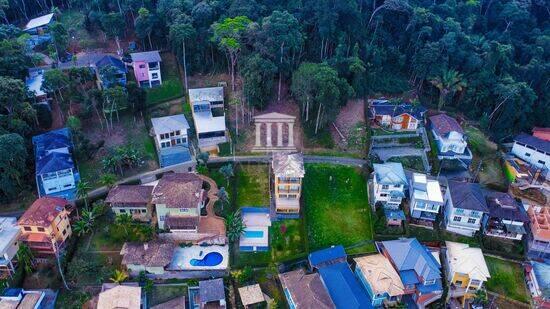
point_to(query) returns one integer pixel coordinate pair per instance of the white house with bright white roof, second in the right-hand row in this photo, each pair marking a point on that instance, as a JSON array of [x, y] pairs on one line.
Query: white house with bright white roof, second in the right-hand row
[[425, 197]]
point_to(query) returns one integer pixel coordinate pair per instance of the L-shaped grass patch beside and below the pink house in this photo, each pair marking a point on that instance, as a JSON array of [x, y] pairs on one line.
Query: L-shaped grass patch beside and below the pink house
[[171, 87]]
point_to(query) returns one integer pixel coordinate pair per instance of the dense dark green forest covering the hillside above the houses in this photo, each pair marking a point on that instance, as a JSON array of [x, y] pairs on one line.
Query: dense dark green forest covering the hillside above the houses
[[487, 59]]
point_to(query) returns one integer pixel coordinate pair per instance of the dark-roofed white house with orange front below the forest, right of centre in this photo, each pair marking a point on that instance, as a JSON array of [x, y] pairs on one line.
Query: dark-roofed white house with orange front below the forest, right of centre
[[399, 117]]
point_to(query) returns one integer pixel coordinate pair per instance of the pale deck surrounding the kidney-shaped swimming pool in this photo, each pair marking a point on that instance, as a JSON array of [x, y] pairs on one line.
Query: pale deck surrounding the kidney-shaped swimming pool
[[183, 256]]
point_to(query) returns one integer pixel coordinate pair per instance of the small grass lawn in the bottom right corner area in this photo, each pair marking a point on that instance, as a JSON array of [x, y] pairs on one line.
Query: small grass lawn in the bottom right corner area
[[506, 279]]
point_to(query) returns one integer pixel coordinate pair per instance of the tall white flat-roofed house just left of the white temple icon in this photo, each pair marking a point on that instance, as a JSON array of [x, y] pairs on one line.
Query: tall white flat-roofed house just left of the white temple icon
[[207, 106]]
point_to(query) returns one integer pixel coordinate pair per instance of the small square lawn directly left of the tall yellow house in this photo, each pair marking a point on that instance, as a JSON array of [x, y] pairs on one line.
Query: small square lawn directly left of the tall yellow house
[[252, 181]]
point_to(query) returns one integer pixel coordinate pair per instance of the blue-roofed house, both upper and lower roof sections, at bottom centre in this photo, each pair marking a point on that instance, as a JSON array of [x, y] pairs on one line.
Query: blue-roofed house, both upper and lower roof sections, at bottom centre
[[342, 285]]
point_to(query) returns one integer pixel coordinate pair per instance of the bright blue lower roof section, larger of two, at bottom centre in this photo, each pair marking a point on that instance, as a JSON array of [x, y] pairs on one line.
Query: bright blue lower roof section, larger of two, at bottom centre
[[343, 287]]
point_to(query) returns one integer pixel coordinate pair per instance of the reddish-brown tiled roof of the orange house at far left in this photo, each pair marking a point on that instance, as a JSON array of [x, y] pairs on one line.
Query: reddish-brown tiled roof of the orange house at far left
[[43, 211]]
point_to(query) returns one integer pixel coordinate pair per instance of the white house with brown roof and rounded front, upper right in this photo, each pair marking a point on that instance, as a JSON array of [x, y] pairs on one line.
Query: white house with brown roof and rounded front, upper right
[[450, 140]]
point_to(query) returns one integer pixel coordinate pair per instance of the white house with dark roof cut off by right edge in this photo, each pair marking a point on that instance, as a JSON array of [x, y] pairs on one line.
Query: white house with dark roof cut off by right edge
[[534, 150]]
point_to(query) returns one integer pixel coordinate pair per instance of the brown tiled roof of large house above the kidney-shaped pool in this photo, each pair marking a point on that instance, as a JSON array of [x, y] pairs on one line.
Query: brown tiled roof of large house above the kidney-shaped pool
[[178, 190]]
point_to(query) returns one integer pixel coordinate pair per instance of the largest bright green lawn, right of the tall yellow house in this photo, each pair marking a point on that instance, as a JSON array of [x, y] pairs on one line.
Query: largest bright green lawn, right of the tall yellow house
[[336, 206]]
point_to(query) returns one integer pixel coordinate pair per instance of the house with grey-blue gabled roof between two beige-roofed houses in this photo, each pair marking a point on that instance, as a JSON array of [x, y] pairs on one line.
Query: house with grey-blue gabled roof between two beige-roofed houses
[[418, 267]]
